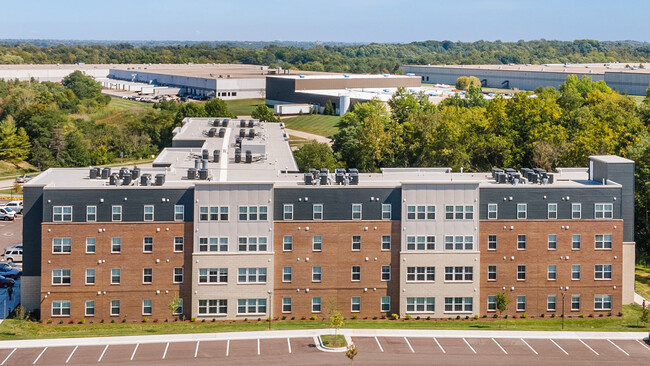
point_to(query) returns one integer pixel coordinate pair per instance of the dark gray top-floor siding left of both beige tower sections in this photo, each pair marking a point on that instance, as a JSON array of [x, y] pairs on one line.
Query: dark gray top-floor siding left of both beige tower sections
[[132, 207]]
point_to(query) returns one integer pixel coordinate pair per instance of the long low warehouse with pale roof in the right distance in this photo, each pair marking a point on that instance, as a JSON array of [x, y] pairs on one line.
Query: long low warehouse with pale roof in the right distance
[[626, 78]]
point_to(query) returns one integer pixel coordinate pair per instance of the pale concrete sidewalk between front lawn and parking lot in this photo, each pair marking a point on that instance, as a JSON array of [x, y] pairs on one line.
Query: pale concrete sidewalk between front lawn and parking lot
[[193, 337]]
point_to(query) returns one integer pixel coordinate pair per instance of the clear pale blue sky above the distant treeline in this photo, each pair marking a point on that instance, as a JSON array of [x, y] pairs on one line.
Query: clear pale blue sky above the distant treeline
[[326, 20]]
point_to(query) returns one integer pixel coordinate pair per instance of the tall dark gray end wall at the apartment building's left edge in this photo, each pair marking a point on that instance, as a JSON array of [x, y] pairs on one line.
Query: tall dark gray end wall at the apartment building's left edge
[[33, 213]]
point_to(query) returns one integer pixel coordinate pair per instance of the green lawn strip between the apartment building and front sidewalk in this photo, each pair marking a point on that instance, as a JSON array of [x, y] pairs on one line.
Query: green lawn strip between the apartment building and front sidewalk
[[17, 329]]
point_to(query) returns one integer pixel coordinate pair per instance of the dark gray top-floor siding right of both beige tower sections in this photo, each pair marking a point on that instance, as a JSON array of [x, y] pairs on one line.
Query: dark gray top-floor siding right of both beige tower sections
[[538, 205]]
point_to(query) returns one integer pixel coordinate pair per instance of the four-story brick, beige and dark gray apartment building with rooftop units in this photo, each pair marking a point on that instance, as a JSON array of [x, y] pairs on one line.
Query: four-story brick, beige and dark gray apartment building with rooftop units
[[224, 221]]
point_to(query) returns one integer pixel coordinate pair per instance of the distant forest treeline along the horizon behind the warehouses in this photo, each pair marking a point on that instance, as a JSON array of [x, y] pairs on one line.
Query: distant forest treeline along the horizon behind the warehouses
[[361, 58]]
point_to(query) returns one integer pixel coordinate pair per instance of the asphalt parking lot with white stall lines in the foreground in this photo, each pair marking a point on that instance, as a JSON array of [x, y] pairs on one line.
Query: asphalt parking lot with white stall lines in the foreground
[[372, 350]]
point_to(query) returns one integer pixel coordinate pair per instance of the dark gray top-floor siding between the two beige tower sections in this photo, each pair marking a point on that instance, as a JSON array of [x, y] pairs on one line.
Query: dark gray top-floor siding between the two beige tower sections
[[337, 202]]
